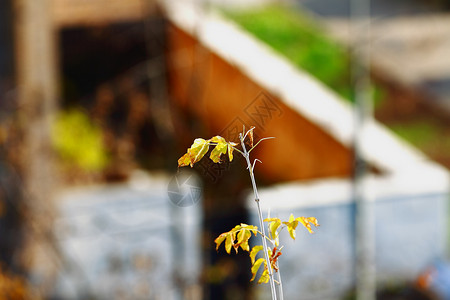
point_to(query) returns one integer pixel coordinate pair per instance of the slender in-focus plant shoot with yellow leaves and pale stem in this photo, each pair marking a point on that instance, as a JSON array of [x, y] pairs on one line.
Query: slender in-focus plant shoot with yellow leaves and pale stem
[[239, 236]]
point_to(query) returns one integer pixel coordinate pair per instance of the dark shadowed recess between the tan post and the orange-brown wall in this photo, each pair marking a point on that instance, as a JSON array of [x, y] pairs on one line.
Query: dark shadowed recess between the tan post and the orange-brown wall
[[105, 72]]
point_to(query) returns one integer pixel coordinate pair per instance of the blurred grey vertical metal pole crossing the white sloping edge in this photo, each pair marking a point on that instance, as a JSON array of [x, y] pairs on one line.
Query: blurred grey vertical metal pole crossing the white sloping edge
[[364, 223]]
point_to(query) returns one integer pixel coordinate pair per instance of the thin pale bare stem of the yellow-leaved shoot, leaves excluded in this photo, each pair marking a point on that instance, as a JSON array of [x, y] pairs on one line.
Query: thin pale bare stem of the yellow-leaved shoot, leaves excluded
[[261, 222]]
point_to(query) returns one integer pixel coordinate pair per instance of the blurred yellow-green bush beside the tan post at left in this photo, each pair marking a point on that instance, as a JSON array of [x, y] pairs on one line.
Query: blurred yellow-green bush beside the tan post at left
[[78, 142]]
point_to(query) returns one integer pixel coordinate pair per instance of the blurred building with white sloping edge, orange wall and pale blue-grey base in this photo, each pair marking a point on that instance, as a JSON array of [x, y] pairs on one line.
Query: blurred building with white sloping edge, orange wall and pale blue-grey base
[[154, 76]]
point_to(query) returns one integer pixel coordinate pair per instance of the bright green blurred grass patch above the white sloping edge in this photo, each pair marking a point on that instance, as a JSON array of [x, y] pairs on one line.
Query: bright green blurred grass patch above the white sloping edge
[[302, 41]]
